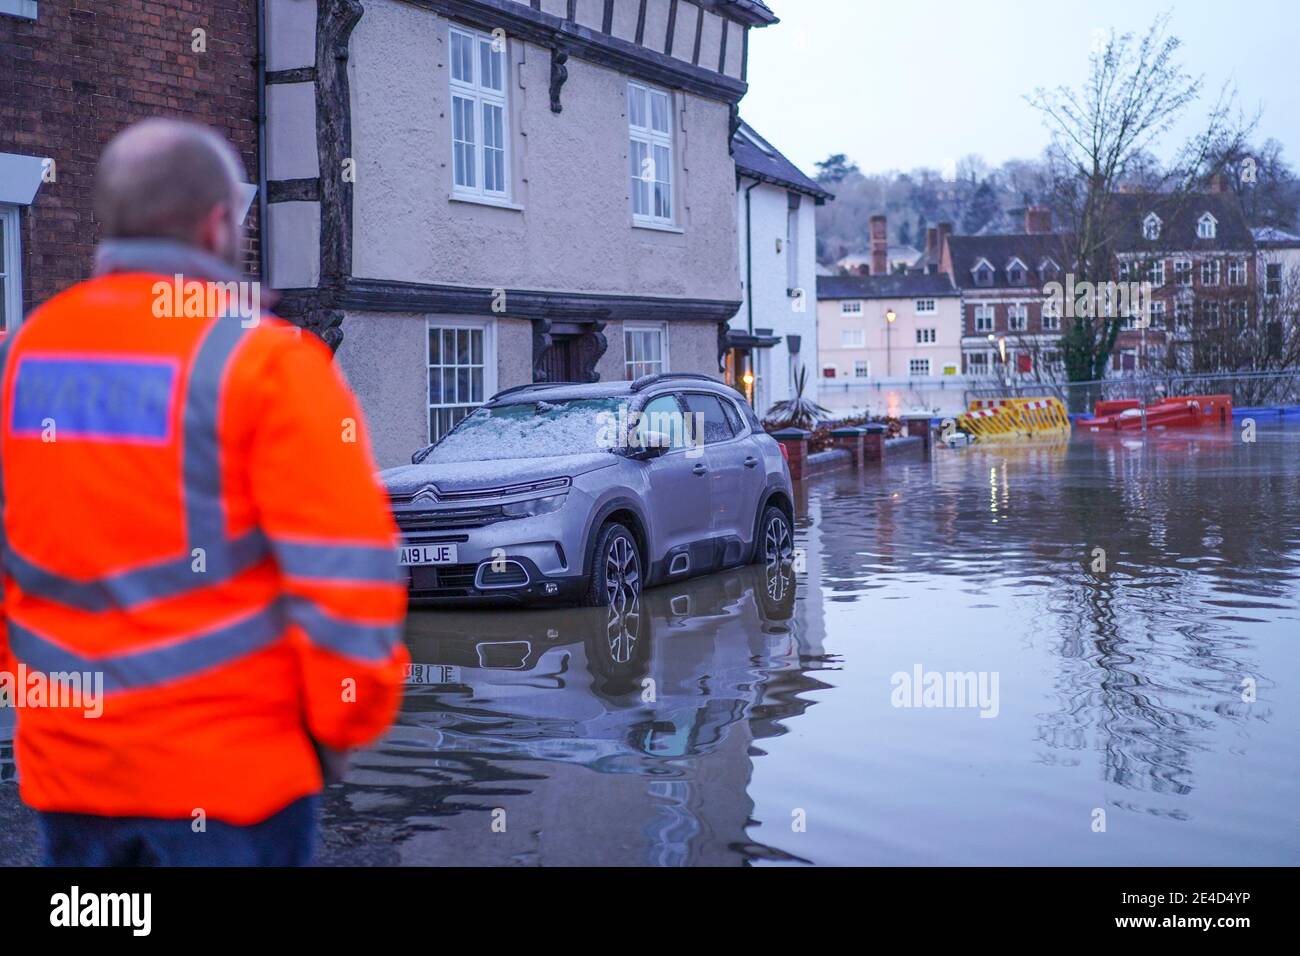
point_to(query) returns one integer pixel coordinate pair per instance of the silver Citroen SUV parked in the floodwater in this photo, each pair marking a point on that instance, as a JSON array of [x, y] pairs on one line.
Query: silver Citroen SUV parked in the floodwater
[[590, 494]]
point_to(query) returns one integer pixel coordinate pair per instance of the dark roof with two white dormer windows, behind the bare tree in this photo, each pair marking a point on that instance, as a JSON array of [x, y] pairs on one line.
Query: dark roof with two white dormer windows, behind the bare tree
[[1180, 214]]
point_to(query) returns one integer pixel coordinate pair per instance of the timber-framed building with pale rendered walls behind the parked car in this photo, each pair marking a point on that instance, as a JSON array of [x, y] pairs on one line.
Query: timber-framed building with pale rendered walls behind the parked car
[[487, 193]]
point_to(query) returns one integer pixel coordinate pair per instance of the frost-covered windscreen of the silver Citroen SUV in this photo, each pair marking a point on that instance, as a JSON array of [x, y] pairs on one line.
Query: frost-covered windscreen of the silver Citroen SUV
[[532, 430]]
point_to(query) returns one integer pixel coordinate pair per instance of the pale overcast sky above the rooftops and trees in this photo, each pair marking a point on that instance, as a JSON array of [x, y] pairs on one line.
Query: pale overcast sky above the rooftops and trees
[[900, 85]]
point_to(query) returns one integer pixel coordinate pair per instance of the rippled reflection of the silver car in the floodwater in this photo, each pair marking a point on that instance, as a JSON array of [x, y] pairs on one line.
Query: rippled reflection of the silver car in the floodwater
[[665, 676]]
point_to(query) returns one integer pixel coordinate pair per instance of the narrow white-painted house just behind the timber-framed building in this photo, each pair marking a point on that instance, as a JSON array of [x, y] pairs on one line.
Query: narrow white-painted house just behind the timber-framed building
[[775, 331]]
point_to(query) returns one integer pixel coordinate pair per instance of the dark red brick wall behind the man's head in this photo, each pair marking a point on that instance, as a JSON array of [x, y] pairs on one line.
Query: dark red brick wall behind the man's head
[[88, 68]]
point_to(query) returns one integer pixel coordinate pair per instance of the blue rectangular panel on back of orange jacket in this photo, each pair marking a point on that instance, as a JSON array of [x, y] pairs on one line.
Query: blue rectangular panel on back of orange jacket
[[94, 399]]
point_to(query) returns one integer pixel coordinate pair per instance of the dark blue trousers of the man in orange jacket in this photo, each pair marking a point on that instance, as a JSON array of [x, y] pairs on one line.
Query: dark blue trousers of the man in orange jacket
[[84, 840]]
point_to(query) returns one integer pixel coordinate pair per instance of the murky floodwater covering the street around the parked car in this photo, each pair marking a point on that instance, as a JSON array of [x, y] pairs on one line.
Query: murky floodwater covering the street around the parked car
[[1136, 704]]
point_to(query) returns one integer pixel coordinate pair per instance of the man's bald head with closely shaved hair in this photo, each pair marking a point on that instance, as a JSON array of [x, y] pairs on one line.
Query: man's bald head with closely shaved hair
[[171, 180]]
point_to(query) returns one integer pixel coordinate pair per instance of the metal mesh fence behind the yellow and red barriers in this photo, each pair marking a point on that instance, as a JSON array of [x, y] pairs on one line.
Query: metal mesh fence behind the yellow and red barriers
[[1249, 390]]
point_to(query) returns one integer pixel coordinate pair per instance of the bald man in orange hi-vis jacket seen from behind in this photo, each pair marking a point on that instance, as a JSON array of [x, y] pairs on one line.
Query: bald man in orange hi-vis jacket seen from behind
[[202, 604]]
